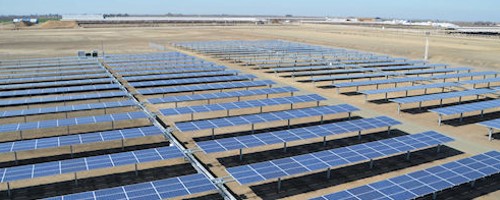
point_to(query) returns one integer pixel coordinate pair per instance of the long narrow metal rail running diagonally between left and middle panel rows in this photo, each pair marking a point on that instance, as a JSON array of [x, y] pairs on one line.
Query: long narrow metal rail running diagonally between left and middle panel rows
[[167, 132]]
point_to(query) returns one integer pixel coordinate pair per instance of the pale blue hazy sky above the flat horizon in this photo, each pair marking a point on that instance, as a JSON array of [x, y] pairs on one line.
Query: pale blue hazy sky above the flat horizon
[[466, 10]]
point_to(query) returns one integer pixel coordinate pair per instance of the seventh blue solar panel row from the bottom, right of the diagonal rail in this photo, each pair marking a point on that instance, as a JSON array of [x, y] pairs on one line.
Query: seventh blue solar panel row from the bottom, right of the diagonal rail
[[202, 87]]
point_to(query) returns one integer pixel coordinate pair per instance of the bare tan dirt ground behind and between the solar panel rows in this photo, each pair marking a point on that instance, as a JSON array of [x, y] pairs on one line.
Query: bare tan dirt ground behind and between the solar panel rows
[[481, 53]]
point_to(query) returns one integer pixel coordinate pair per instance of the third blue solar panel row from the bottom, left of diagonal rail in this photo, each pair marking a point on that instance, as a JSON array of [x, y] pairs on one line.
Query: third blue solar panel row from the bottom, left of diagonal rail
[[52, 142]]
